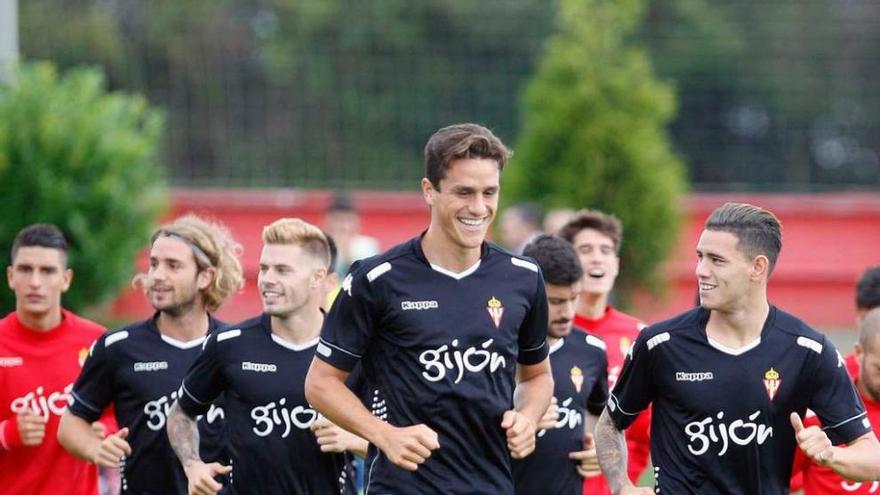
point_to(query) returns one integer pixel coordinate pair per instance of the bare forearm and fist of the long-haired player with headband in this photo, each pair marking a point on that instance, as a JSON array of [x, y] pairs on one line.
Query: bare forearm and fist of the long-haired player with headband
[[80, 438]]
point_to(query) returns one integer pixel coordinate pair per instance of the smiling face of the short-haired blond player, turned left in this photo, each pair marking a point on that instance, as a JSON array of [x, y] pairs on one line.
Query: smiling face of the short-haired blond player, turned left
[[288, 279]]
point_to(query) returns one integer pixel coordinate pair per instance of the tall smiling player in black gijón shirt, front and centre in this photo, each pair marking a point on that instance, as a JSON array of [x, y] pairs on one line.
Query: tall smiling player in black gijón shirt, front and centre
[[451, 334]]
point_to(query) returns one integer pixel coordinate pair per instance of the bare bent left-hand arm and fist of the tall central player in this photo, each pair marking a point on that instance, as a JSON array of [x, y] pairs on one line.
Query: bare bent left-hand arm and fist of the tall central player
[[407, 447]]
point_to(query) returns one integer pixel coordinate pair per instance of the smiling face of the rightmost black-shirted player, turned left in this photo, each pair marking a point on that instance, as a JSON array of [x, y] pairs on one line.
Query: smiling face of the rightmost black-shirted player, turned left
[[723, 271]]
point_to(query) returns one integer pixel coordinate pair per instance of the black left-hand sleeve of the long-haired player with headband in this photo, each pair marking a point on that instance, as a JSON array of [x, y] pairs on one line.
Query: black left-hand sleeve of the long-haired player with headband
[[93, 390]]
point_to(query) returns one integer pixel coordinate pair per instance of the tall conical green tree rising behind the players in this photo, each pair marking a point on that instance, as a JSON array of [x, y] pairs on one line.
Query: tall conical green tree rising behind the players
[[594, 134]]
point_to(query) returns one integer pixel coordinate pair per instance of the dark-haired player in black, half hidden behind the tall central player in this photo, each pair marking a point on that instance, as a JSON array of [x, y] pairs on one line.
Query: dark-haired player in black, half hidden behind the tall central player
[[566, 452]]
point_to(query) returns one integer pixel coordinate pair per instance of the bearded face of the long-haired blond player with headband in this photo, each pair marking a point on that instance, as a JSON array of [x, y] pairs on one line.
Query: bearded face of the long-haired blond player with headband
[[173, 280]]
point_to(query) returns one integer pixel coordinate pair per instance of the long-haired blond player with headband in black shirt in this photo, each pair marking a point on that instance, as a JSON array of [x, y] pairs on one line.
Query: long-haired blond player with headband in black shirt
[[193, 269]]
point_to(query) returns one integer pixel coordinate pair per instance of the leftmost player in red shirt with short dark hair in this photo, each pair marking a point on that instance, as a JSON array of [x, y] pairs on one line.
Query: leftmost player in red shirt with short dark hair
[[42, 348]]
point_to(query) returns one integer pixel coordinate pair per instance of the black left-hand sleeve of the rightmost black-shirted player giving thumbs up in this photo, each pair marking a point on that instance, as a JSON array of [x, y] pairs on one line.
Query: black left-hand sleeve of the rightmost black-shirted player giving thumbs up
[[634, 390]]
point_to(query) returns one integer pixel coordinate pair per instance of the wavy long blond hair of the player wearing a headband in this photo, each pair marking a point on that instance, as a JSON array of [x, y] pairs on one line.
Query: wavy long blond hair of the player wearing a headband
[[212, 246]]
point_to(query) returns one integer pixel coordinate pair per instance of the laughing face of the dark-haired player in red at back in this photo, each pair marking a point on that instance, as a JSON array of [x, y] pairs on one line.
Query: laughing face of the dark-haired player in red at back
[[598, 259]]
